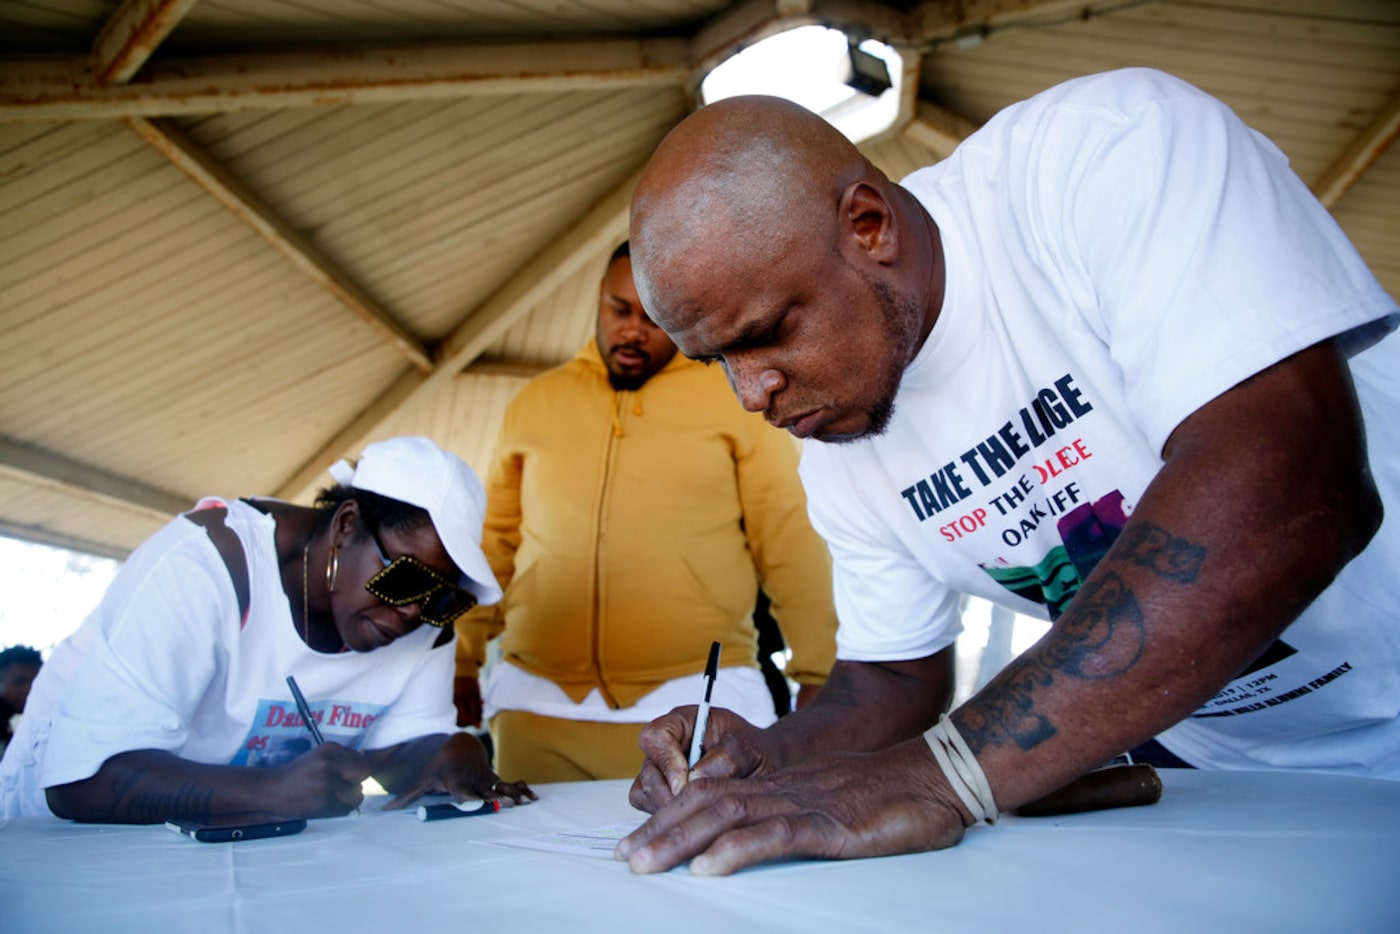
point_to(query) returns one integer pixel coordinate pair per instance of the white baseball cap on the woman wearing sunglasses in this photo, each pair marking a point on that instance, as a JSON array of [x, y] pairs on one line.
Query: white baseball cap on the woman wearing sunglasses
[[416, 471]]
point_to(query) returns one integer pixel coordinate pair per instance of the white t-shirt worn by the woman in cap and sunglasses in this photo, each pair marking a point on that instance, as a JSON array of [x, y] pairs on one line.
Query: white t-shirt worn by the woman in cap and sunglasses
[[167, 663]]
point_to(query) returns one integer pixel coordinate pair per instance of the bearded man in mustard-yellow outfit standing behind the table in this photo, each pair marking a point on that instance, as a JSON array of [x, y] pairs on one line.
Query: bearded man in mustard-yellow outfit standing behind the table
[[633, 510]]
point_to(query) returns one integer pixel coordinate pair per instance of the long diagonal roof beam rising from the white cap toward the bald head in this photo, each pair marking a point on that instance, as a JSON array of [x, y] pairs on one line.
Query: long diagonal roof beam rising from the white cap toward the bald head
[[600, 230]]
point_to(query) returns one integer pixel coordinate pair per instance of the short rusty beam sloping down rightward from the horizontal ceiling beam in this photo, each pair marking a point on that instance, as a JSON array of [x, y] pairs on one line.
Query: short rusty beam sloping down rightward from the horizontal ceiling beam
[[229, 191]]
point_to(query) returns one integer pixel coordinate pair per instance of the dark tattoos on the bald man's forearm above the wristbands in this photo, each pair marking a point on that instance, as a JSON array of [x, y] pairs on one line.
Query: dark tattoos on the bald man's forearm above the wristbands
[[1100, 638]]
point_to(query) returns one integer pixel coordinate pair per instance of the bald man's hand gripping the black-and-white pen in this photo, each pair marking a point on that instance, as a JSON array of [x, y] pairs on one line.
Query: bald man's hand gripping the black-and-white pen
[[733, 750]]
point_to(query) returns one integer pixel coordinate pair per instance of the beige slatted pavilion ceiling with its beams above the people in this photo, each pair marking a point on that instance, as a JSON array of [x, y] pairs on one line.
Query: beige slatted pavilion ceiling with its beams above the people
[[276, 232]]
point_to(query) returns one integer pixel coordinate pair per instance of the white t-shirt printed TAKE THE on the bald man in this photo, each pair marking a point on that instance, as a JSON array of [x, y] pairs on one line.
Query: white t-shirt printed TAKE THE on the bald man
[[1121, 251]]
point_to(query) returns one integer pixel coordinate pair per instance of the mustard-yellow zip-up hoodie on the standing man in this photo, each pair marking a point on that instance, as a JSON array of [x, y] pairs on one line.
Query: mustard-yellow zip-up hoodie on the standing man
[[631, 530]]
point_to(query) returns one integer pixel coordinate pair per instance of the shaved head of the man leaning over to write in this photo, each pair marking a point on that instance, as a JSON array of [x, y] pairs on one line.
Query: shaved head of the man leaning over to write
[[765, 242]]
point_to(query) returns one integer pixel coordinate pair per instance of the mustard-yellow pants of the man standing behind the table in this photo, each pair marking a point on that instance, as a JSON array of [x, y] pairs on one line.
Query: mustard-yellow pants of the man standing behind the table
[[534, 748]]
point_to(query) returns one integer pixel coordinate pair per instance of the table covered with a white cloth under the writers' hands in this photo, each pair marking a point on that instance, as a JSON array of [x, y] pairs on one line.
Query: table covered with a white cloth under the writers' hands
[[1221, 852]]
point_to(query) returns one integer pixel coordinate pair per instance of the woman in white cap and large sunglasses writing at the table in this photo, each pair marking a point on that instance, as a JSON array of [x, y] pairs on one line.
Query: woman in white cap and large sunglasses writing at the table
[[171, 701]]
